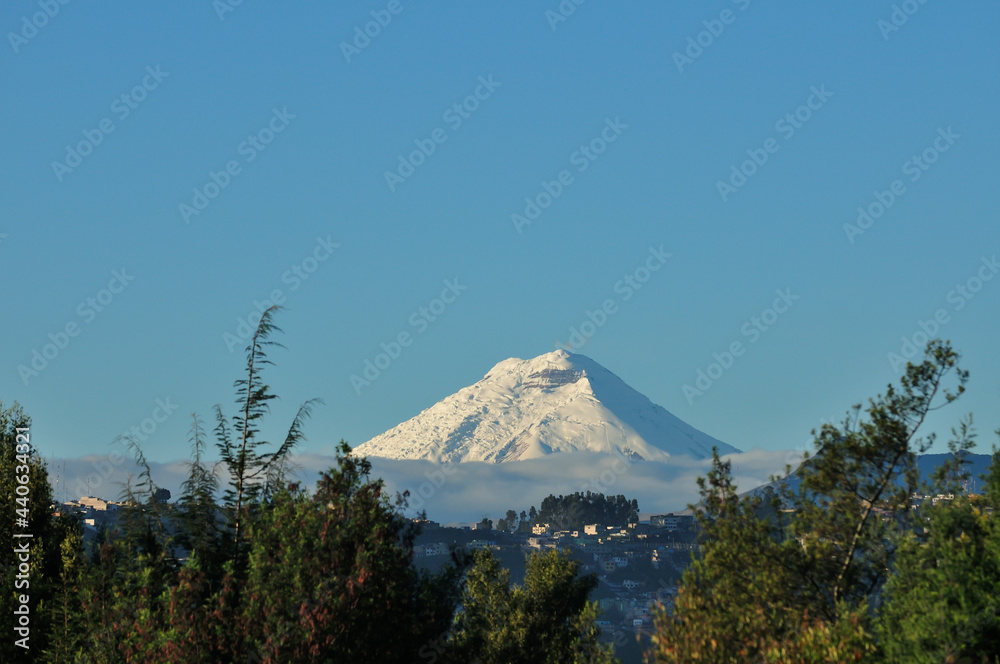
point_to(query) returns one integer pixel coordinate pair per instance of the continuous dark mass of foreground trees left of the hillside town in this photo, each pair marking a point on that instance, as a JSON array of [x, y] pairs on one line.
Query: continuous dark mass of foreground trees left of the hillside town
[[271, 573]]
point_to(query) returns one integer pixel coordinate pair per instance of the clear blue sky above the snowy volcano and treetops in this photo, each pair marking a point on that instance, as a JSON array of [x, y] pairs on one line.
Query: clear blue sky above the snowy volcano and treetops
[[196, 157]]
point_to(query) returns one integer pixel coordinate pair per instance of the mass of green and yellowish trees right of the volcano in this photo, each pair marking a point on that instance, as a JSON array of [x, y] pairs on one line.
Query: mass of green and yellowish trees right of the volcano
[[839, 565]]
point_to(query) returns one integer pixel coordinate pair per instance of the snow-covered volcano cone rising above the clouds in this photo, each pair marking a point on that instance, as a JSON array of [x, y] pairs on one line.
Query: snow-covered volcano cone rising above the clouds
[[526, 409]]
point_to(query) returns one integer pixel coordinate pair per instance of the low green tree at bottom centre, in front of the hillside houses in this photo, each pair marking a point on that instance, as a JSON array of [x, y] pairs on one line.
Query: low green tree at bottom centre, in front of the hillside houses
[[548, 620]]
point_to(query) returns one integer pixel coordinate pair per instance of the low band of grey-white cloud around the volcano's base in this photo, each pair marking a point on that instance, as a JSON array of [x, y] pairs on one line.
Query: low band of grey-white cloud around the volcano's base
[[467, 492]]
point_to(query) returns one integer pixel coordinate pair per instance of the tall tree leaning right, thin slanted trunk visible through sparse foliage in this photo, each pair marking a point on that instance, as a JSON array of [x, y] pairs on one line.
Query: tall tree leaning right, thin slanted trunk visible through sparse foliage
[[867, 464]]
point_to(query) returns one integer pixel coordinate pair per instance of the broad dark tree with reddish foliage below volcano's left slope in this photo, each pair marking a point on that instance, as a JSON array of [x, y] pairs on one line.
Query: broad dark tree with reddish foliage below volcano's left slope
[[331, 576]]
